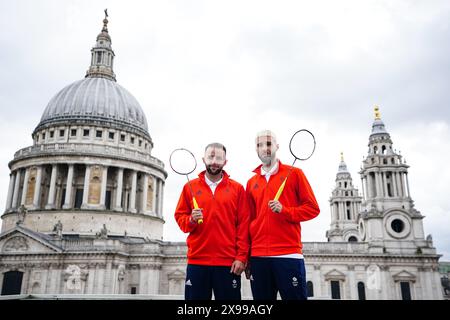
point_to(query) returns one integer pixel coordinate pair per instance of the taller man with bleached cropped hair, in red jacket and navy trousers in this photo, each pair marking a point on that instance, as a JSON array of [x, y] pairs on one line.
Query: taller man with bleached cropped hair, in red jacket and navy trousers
[[276, 263]]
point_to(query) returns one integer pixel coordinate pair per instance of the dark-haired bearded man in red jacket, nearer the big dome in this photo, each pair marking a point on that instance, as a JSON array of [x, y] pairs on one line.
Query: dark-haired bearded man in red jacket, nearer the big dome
[[217, 247]]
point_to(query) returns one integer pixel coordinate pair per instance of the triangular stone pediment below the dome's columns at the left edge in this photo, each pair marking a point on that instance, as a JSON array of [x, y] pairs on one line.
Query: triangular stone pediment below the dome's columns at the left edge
[[20, 240]]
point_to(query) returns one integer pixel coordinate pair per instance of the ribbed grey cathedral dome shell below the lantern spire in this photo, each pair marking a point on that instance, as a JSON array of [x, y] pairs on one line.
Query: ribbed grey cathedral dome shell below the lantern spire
[[95, 99]]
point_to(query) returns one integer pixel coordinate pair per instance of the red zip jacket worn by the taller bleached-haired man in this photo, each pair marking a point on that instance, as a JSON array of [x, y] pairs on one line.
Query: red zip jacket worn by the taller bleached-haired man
[[279, 233]]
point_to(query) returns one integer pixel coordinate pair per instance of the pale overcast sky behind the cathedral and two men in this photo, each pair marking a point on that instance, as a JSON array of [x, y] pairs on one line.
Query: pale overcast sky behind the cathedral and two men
[[207, 71]]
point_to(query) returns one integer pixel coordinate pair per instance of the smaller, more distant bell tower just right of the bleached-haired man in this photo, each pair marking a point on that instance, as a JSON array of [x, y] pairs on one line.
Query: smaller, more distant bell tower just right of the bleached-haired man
[[345, 204]]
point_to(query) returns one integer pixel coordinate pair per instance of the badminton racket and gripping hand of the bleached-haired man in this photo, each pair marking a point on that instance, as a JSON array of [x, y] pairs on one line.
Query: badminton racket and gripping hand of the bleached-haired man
[[302, 147]]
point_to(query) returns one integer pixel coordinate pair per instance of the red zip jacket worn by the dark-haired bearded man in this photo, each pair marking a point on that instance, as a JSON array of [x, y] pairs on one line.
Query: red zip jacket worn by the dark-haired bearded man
[[223, 235]]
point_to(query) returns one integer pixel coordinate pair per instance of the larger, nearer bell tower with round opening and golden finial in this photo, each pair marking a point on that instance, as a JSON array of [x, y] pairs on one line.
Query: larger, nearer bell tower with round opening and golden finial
[[388, 221]]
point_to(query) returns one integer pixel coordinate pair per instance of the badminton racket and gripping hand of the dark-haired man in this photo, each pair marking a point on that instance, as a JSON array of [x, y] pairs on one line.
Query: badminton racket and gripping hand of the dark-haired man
[[182, 161]]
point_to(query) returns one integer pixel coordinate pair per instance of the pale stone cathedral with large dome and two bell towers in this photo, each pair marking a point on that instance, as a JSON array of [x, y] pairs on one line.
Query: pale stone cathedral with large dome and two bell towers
[[85, 202]]
